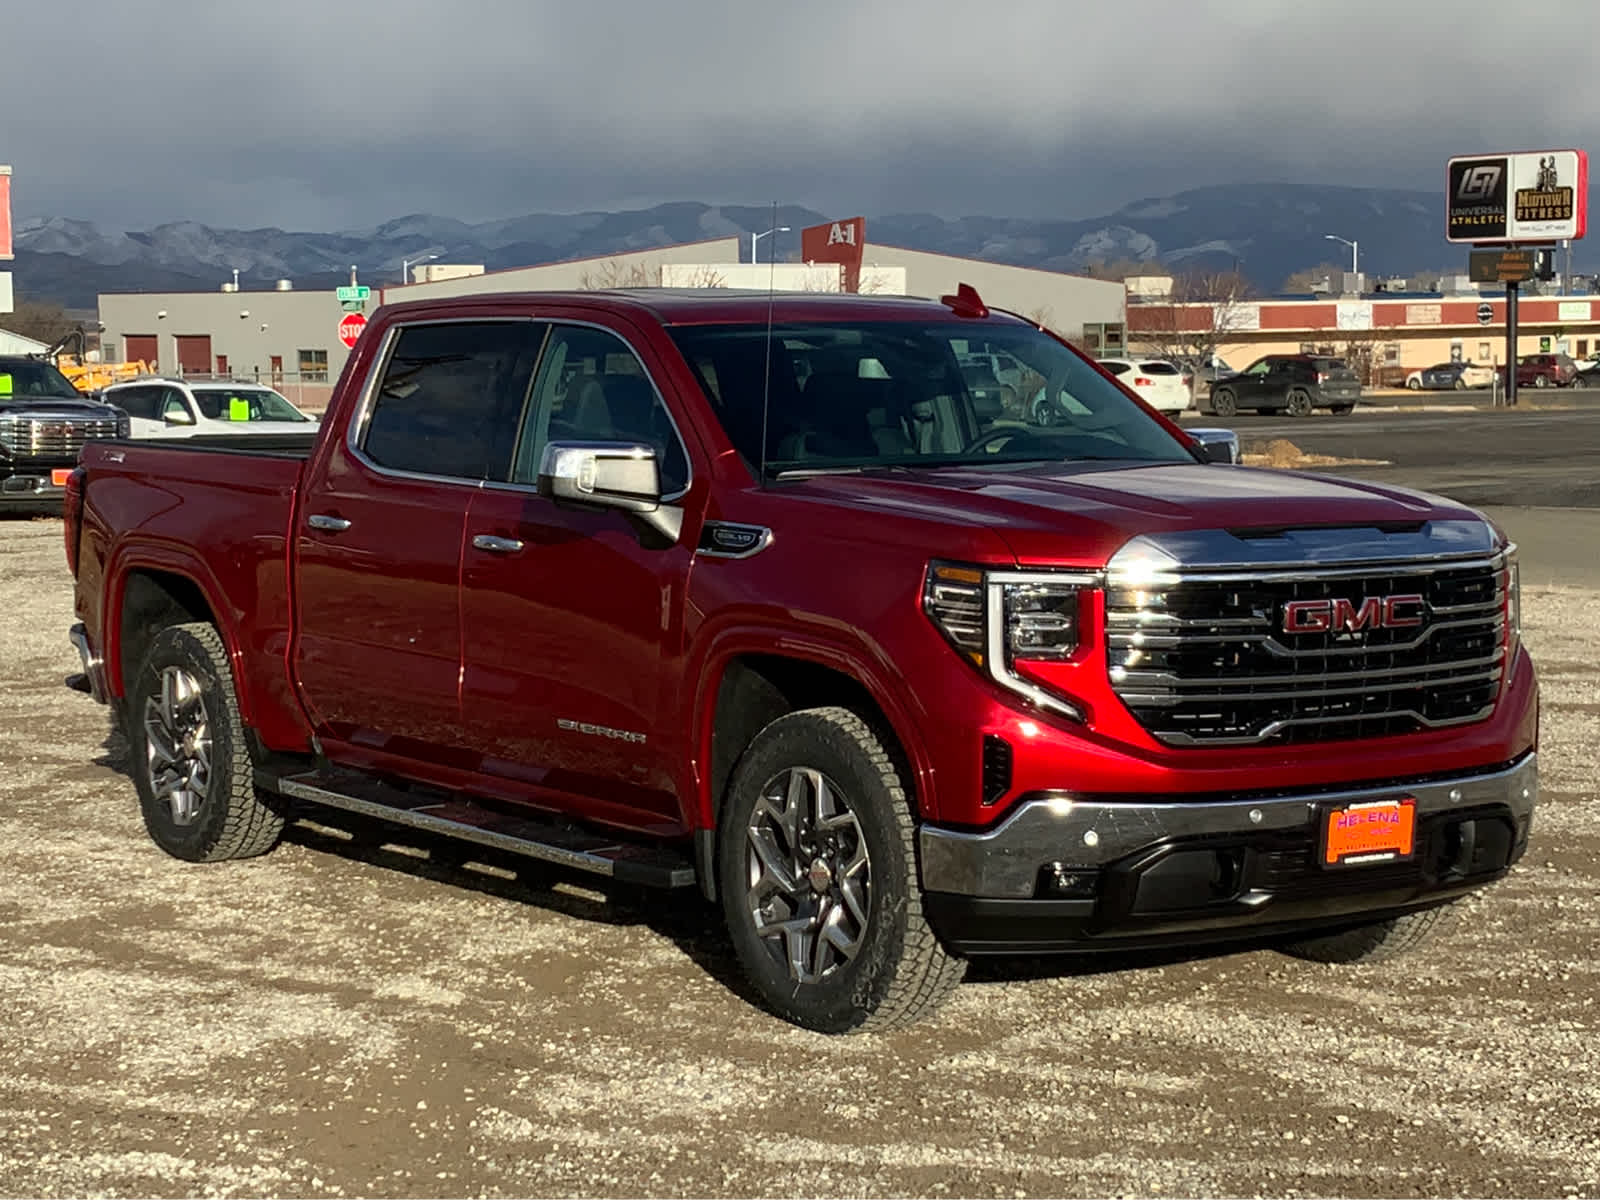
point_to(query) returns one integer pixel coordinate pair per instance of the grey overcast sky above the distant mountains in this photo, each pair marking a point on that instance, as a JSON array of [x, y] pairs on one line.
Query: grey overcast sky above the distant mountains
[[318, 116]]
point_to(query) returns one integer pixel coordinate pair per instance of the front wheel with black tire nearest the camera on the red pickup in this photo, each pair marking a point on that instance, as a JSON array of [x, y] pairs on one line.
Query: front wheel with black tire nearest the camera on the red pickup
[[897, 972]]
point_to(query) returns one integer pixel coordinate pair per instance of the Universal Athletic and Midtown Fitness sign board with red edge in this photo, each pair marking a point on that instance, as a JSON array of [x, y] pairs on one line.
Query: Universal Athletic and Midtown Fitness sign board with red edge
[[1538, 196]]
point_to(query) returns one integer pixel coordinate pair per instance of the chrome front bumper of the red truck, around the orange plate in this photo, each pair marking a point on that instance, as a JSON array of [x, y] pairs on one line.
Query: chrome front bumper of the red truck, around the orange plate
[[1006, 862]]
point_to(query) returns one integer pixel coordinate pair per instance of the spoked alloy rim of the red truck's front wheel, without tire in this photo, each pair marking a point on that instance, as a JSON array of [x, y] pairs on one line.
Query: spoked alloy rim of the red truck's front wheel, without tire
[[809, 874]]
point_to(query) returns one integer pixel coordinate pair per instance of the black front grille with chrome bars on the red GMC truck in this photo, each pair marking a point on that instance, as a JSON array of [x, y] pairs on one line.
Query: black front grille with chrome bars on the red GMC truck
[[1207, 662]]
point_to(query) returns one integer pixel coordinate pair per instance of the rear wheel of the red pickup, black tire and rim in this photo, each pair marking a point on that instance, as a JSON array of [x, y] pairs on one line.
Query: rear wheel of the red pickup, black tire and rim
[[222, 815]]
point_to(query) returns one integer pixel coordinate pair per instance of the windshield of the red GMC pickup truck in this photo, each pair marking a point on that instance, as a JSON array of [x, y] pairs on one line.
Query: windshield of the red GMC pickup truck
[[902, 394]]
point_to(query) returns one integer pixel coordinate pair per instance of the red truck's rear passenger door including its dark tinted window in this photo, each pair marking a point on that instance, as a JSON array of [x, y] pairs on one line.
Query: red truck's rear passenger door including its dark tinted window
[[378, 652]]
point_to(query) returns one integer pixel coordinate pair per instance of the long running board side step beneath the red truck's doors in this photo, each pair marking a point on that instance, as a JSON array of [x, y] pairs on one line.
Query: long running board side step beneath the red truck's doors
[[436, 812]]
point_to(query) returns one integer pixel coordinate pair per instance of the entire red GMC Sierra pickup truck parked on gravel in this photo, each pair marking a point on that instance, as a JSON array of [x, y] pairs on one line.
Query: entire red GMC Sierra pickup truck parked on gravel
[[753, 594]]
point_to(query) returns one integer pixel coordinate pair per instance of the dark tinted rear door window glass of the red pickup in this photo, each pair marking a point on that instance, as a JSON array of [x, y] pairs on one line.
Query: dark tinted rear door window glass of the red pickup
[[452, 398]]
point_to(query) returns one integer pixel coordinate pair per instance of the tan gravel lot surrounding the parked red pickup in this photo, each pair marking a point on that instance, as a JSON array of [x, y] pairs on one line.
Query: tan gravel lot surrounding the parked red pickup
[[345, 1018]]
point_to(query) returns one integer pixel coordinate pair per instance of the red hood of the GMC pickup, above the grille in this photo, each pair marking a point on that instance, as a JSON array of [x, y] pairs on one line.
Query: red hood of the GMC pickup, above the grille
[[1082, 514]]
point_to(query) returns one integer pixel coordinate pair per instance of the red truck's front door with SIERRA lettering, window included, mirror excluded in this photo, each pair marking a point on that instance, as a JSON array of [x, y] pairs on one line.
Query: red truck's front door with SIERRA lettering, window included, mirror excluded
[[569, 617]]
